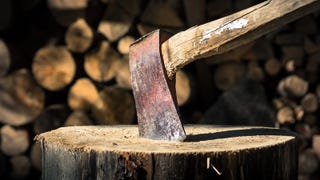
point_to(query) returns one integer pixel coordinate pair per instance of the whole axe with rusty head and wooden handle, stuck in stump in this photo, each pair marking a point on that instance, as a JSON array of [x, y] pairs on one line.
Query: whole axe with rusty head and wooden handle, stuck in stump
[[155, 58]]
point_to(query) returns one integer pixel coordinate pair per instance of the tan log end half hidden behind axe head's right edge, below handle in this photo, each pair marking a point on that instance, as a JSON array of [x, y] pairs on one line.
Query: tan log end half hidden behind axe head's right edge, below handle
[[183, 87]]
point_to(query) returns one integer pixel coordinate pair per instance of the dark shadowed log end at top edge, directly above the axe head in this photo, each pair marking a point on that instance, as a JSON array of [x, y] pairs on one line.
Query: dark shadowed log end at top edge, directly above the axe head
[[161, 14]]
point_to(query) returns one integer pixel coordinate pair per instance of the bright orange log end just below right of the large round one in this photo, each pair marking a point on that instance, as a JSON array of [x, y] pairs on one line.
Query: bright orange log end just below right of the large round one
[[82, 95]]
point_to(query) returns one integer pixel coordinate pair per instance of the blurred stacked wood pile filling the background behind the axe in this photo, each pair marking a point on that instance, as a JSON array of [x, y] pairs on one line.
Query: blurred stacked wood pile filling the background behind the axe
[[65, 63]]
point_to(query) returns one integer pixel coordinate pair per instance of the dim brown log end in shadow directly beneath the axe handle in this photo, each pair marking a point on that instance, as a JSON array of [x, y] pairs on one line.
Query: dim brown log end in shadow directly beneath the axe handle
[[228, 74]]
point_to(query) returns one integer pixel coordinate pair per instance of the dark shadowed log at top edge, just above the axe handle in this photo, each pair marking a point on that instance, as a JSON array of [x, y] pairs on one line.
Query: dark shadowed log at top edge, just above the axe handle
[[195, 12]]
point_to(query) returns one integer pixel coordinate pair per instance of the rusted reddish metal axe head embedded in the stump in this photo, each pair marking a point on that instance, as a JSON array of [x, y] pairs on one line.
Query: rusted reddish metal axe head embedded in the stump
[[154, 92]]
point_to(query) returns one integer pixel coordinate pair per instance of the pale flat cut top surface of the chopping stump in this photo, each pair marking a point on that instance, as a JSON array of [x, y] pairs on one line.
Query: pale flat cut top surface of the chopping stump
[[201, 138]]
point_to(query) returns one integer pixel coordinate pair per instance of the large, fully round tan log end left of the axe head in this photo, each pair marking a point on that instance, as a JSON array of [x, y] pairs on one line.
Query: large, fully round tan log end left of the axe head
[[53, 67]]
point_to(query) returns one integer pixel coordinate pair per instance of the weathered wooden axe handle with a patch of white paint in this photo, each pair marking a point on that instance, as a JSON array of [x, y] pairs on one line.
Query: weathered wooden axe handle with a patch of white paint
[[231, 31]]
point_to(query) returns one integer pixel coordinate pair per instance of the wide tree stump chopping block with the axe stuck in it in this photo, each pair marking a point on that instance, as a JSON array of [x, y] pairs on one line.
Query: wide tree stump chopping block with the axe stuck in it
[[210, 152]]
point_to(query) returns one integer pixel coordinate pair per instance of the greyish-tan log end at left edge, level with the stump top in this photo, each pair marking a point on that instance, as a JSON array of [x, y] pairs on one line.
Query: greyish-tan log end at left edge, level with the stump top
[[14, 141]]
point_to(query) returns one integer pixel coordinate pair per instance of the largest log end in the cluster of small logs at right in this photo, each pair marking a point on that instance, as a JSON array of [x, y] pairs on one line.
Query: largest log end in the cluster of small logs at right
[[293, 86]]
